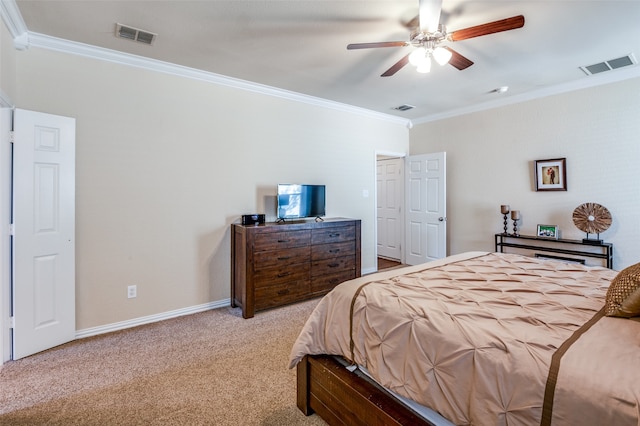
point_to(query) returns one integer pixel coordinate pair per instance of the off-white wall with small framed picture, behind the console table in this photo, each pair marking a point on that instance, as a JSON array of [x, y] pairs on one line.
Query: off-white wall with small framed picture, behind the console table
[[490, 159]]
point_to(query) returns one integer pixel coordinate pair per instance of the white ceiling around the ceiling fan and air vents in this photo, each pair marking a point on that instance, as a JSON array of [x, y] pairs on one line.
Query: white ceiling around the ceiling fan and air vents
[[300, 45]]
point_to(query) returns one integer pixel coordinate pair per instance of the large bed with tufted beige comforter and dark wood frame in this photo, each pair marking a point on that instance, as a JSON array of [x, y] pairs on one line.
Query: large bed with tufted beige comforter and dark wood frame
[[476, 338]]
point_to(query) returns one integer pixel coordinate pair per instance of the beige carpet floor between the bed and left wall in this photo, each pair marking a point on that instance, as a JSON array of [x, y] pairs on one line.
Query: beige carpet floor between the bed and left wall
[[211, 368]]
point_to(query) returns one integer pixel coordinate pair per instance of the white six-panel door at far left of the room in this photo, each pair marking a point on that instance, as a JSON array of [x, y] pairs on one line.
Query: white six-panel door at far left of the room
[[43, 249]]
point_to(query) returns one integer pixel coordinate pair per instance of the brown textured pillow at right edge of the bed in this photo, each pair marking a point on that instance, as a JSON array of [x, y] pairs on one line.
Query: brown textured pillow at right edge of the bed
[[623, 296]]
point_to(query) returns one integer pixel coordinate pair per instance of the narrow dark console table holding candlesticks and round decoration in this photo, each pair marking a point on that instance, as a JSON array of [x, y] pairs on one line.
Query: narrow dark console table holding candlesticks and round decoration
[[602, 251]]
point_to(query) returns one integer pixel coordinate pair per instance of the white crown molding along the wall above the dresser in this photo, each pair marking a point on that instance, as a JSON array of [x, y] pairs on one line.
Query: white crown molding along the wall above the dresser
[[43, 41]]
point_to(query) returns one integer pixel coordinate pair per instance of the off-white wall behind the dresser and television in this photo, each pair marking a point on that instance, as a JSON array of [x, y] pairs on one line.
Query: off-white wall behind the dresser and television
[[165, 164]]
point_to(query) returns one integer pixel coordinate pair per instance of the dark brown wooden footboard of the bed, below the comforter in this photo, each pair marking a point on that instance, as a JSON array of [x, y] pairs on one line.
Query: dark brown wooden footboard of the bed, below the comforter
[[341, 397]]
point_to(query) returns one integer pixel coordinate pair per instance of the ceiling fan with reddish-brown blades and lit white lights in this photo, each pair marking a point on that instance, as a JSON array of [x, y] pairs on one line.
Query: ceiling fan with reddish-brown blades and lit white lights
[[427, 34]]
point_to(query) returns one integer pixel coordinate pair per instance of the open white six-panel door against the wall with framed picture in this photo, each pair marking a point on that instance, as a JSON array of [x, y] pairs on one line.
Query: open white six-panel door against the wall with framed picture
[[426, 211]]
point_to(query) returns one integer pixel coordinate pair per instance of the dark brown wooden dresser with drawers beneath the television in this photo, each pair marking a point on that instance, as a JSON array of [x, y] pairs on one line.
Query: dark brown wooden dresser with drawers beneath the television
[[274, 264]]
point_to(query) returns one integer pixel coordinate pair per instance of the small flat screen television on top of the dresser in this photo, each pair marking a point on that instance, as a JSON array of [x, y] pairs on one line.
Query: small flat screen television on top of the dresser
[[300, 201]]
